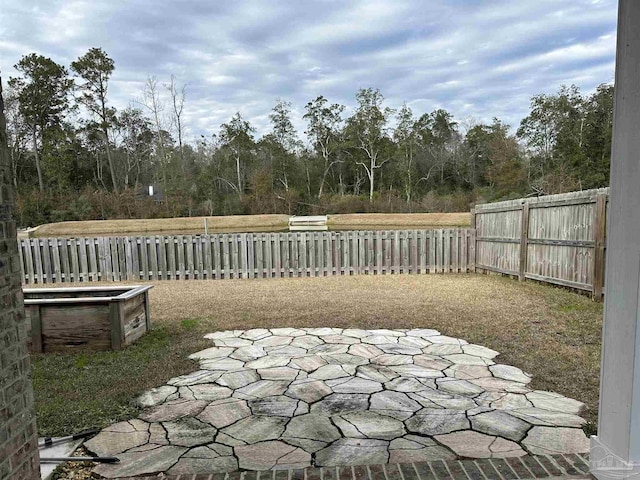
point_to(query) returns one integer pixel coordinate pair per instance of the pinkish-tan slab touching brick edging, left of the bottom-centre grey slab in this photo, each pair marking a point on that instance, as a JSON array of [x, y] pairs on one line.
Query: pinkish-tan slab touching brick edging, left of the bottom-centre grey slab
[[267, 455]]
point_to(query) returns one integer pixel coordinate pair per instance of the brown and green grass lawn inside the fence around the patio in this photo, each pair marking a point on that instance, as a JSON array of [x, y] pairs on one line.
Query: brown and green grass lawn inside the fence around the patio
[[549, 332]]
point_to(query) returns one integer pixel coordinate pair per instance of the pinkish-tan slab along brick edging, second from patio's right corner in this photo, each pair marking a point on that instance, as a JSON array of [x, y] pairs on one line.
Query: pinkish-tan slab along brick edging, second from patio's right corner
[[478, 445]]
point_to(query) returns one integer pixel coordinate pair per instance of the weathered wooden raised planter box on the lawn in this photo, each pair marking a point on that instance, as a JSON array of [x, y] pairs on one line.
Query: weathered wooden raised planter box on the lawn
[[86, 318]]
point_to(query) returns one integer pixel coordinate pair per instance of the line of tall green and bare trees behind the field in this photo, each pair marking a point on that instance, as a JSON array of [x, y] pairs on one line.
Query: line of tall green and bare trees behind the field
[[76, 157]]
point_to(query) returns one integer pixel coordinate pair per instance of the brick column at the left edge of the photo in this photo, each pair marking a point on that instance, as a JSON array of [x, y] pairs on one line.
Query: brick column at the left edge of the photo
[[18, 437]]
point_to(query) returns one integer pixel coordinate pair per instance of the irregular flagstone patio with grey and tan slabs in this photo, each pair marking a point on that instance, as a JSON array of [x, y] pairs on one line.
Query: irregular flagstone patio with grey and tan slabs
[[291, 398]]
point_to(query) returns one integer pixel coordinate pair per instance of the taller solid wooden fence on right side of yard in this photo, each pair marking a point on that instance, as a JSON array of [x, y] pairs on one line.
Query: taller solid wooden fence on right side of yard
[[556, 238]]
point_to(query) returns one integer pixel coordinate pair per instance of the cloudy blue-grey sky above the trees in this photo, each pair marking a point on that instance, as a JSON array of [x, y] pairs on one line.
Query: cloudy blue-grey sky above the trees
[[477, 59]]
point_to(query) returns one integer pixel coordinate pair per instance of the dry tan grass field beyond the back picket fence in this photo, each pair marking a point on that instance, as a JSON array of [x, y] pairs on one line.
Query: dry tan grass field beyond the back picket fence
[[247, 223]]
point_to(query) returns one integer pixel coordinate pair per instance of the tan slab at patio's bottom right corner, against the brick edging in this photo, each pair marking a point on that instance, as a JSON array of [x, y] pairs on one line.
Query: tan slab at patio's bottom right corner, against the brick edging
[[552, 440]]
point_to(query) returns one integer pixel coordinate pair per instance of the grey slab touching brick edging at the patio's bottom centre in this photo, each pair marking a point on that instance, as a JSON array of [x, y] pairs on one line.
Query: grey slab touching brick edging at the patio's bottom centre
[[351, 451]]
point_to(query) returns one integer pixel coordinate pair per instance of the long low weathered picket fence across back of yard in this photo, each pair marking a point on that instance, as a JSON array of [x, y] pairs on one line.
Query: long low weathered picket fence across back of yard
[[245, 255]]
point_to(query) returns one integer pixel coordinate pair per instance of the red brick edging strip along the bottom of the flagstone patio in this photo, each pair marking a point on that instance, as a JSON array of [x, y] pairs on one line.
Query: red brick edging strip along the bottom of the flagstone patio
[[512, 468]]
